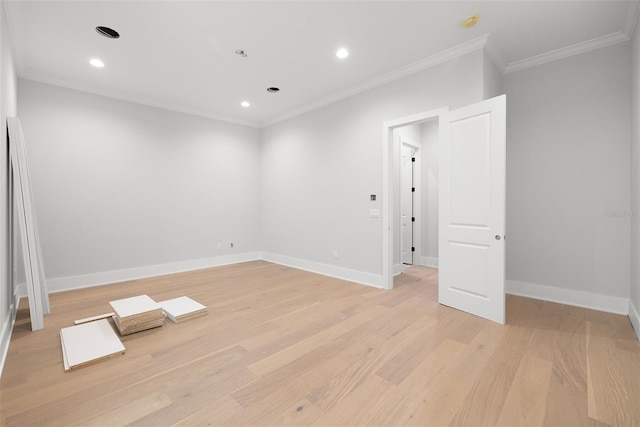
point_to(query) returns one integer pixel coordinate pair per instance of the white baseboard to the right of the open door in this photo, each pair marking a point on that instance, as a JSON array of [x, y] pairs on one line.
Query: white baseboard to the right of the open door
[[617, 305]]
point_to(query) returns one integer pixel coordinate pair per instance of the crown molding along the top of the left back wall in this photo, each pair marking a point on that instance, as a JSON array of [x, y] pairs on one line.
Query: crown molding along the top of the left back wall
[[148, 102]]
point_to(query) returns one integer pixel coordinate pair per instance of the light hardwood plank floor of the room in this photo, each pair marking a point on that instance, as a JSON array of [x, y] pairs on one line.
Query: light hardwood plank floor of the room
[[281, 346]]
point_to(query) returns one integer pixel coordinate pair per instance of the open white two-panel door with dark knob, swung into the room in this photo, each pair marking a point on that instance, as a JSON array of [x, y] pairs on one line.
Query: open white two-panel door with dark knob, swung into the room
[[472, 208]]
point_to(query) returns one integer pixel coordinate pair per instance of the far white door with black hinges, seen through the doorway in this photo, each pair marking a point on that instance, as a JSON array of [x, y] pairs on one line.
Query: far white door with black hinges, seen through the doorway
[[406, 204]]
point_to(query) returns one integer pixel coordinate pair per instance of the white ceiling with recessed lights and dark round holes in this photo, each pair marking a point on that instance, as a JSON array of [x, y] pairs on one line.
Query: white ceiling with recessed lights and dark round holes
[[181, 55]]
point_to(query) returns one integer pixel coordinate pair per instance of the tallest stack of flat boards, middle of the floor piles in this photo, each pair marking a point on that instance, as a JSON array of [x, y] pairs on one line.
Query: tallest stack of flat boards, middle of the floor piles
[[137, 314]]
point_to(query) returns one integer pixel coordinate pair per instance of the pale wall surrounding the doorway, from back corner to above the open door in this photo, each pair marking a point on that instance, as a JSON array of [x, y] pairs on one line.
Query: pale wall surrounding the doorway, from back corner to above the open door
[[318, 169]]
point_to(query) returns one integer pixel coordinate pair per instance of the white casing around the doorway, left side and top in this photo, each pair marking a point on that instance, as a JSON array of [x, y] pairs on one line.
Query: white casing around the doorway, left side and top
[[387, 187]]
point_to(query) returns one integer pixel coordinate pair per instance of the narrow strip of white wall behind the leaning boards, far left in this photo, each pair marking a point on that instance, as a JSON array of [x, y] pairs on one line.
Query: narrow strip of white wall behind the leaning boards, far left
[[7, 108]]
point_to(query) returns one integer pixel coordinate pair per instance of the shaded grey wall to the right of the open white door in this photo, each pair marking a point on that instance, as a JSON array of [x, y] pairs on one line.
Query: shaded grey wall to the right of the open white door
[[568, 174]]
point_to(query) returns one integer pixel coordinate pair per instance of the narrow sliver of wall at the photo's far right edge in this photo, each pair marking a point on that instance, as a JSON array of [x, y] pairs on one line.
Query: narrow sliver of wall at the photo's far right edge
[[634, 309]]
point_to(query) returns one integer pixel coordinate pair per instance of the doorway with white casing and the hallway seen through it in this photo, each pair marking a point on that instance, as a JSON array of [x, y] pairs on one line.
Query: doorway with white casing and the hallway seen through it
[[410, 184]]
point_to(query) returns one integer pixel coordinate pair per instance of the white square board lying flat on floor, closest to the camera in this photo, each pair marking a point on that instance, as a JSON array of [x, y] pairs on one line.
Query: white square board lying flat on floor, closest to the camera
[[89, 342]]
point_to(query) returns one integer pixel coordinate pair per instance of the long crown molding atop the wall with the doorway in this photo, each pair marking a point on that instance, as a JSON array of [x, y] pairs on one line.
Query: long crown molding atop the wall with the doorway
[[423, 64]]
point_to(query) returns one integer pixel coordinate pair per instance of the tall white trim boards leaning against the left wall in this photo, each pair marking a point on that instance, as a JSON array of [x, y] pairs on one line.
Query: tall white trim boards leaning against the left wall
[[27, 225]]
